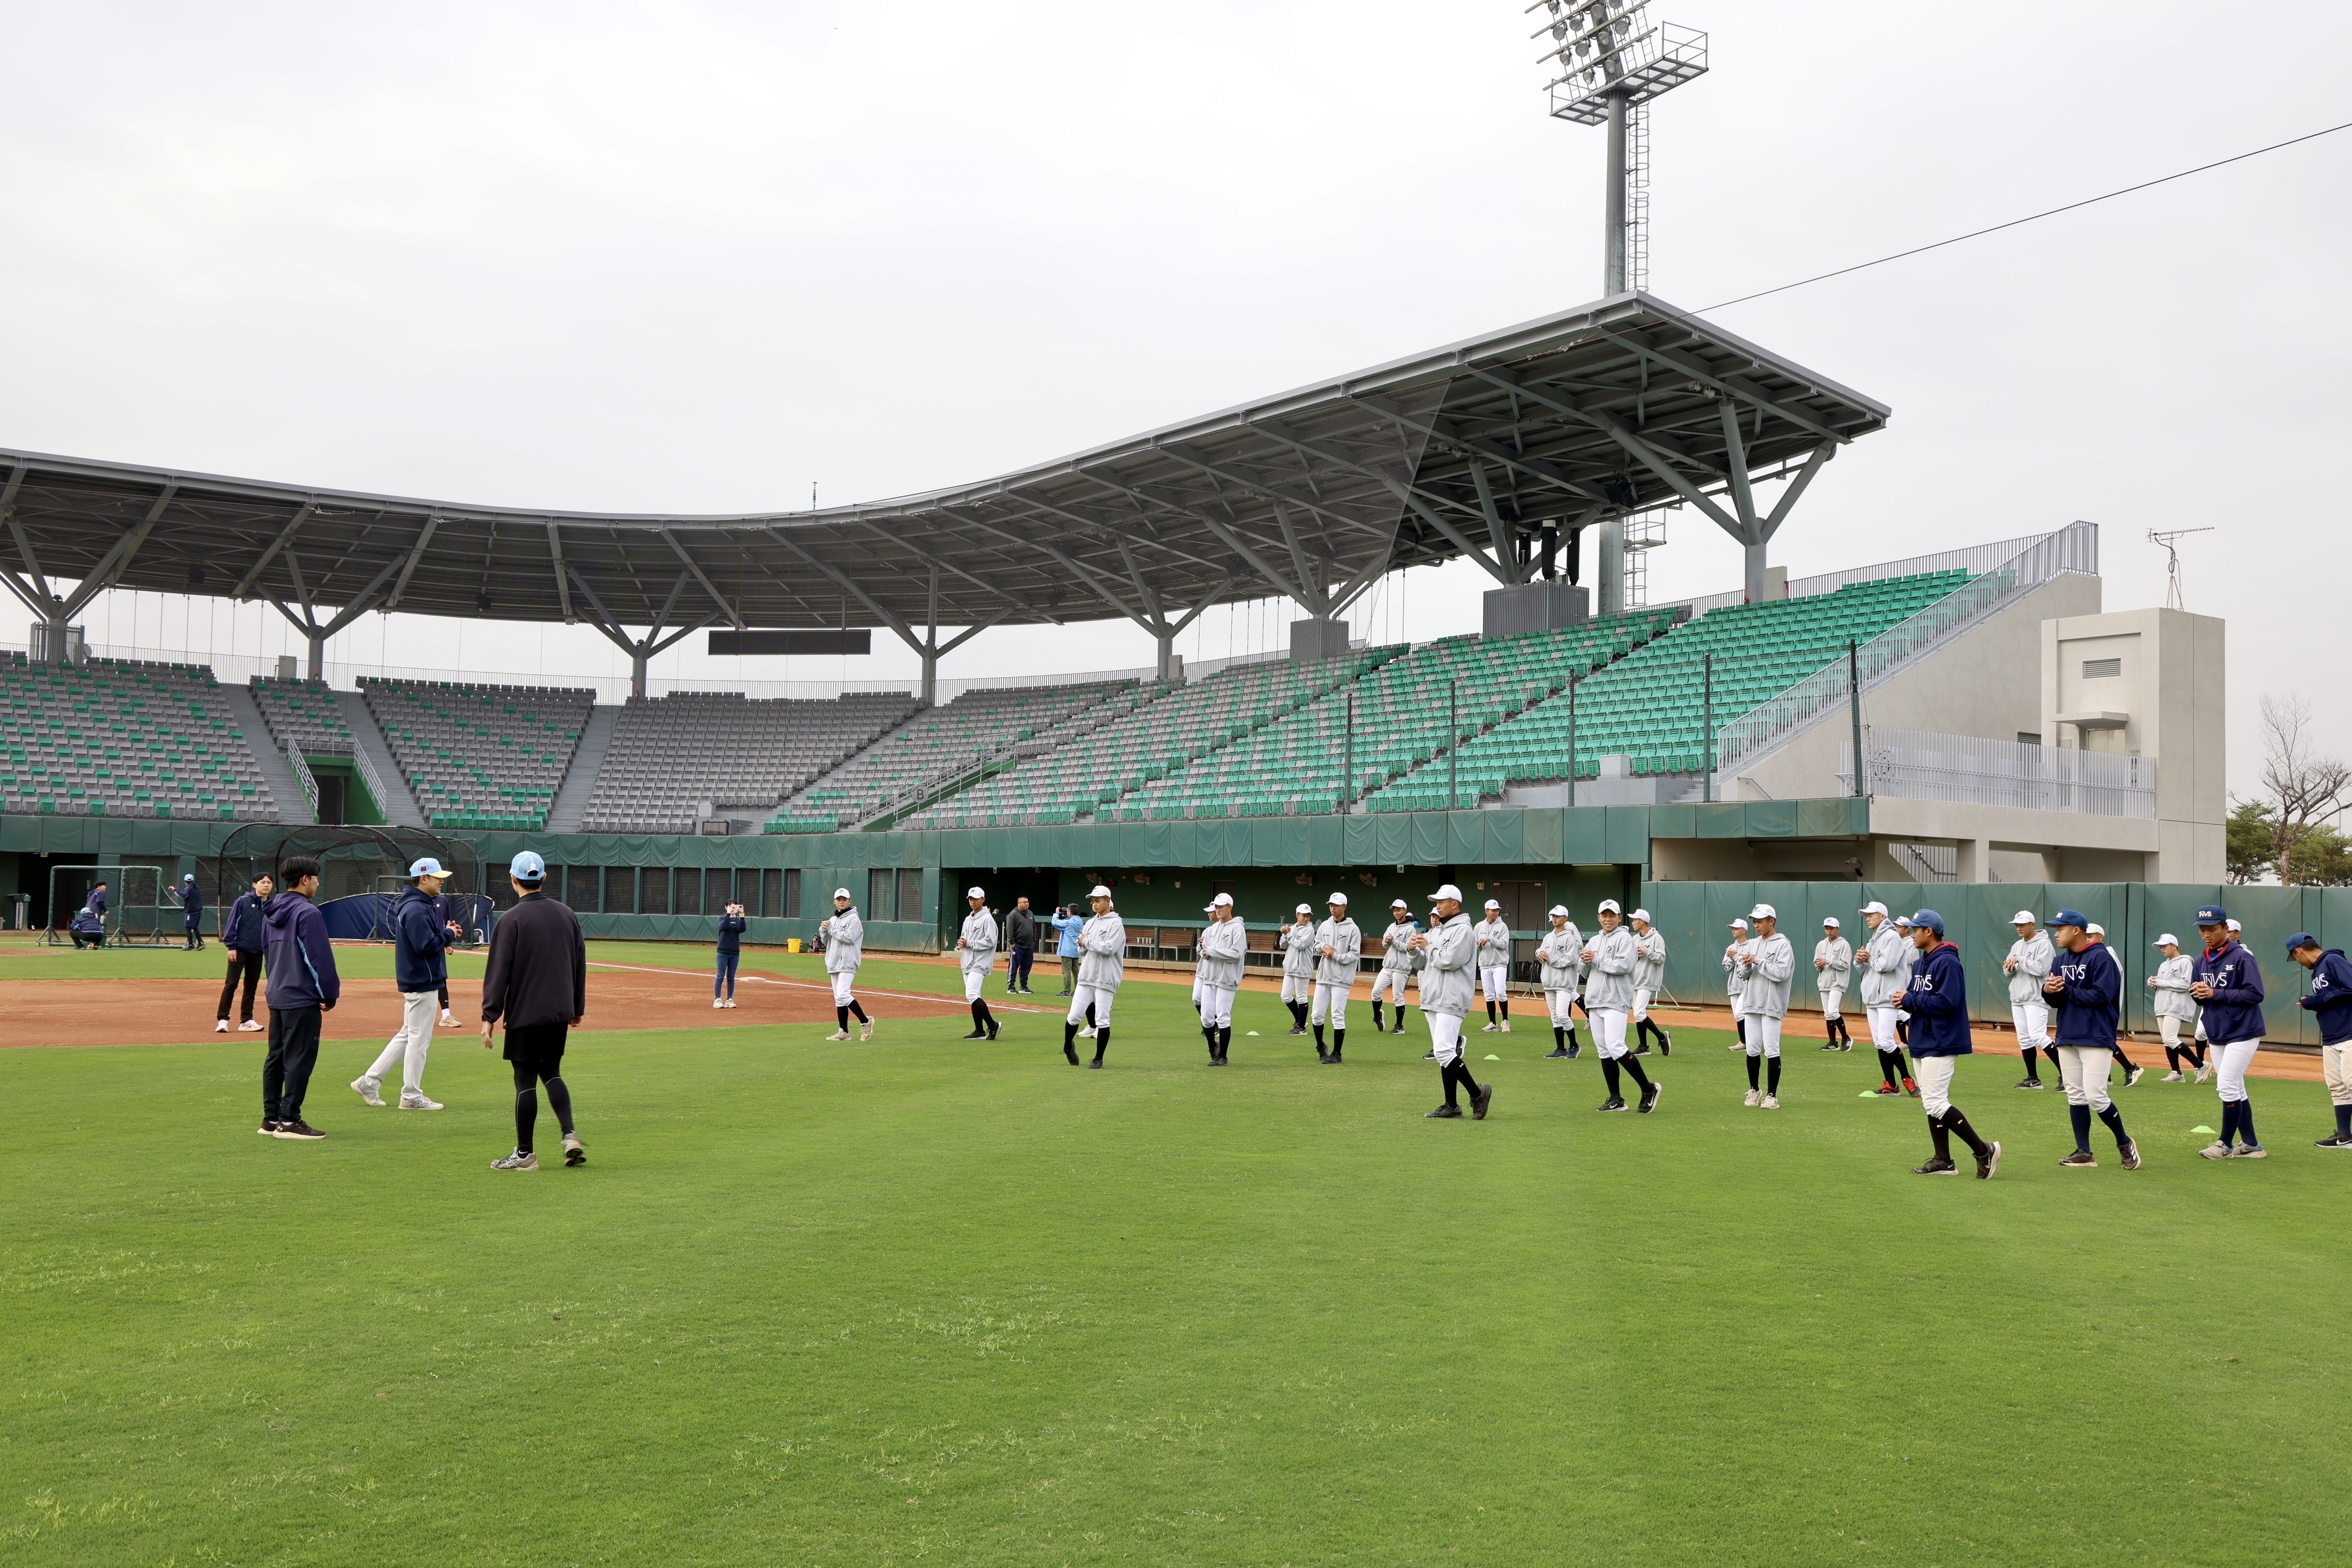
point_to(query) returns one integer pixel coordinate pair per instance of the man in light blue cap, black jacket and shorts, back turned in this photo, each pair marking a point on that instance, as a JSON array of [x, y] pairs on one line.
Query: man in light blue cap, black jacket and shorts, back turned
[[540, 981]]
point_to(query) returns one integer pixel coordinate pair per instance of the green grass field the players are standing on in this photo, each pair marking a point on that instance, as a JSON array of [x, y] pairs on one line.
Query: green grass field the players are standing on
[[933, 1301]]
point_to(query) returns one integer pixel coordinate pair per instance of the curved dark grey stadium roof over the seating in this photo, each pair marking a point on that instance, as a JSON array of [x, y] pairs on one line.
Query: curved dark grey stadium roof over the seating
[[1464, 450]]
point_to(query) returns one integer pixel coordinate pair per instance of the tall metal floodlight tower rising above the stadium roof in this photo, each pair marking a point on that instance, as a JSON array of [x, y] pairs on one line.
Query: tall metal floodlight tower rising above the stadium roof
[[1610, 60]]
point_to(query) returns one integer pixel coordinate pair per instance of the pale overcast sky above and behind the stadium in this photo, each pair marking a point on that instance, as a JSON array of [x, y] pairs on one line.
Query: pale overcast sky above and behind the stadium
[[697, 257]]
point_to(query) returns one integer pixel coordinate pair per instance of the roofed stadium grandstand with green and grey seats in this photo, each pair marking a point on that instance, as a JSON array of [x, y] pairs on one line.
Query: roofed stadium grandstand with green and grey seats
[[1923, 721]]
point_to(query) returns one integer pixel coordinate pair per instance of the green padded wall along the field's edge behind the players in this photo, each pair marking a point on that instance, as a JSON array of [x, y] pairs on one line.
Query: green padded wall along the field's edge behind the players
[[1168, 871]]
